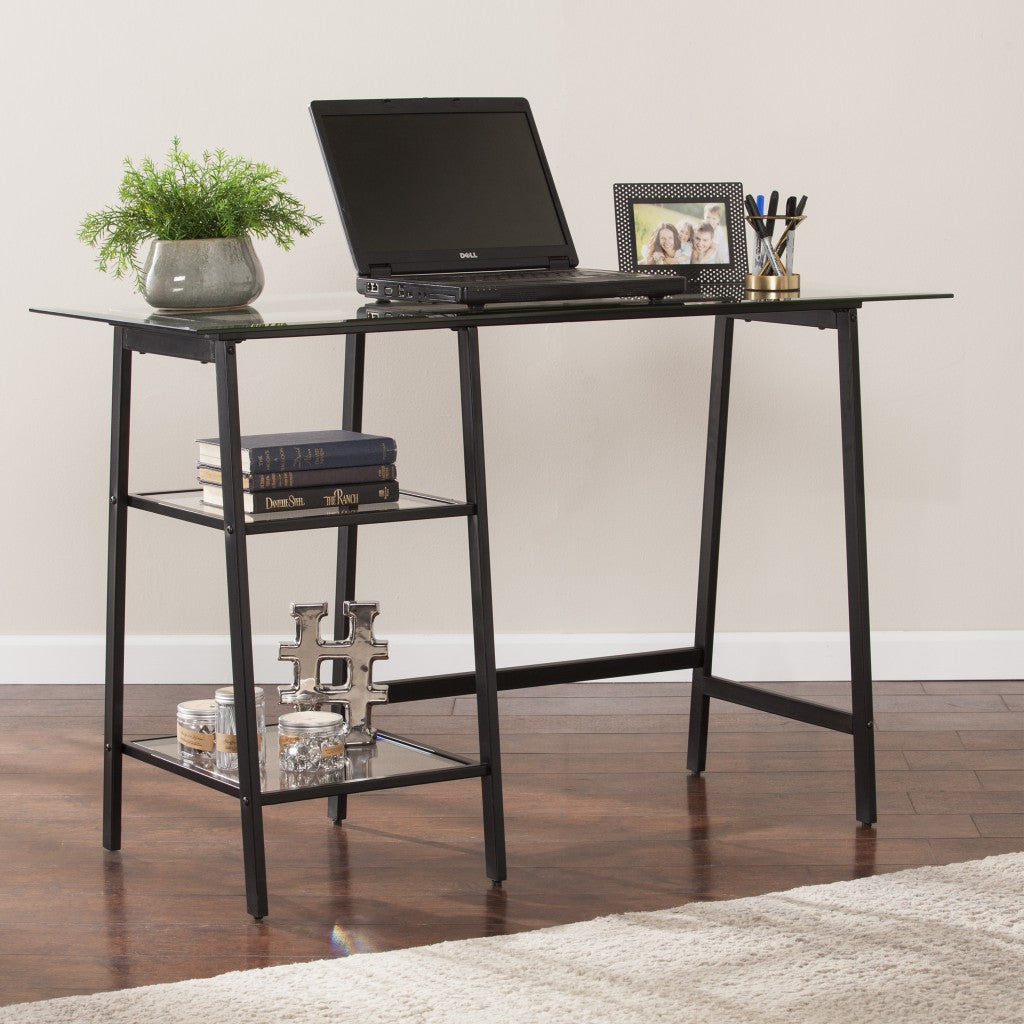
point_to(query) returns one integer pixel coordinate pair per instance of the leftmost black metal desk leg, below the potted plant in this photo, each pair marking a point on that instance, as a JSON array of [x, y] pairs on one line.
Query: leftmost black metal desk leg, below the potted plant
[[116, 568]]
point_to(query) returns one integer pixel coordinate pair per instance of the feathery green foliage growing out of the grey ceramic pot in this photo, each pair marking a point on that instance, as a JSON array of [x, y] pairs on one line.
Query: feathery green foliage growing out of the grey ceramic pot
[[218, 197]]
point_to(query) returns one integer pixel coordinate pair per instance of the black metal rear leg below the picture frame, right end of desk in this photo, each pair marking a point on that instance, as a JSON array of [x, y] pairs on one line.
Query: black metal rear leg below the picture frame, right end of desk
[[711, 533]]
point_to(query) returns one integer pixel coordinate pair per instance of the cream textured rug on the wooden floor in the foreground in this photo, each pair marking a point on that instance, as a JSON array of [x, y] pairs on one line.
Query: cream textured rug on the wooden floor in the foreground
[[924, 947]]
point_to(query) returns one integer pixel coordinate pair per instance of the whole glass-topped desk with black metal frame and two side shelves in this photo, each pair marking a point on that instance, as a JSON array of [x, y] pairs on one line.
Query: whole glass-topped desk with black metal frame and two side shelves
[[221, 349]]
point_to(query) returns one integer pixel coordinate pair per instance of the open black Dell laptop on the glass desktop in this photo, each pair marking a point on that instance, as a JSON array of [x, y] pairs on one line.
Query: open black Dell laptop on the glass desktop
[[453, 201]]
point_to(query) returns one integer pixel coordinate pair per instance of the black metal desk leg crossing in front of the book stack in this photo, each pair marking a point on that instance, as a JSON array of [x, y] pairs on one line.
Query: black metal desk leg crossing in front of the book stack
[[241, 627]]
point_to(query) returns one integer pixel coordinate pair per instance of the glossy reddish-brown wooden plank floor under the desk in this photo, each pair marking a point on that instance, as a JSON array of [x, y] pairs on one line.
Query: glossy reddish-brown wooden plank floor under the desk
[[602, 819]]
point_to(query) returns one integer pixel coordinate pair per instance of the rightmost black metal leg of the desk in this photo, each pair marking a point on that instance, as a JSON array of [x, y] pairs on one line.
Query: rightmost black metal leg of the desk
[[857, 568]]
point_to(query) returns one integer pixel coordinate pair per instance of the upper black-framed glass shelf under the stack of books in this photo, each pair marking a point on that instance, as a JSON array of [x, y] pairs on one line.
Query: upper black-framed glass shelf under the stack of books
[[189, 505]]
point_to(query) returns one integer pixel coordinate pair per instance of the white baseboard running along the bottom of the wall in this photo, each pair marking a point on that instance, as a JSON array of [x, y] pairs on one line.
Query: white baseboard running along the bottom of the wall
[[755, 657]]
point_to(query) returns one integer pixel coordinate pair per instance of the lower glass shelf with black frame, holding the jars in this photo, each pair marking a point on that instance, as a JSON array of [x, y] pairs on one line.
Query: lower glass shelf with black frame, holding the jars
[[391, 763]]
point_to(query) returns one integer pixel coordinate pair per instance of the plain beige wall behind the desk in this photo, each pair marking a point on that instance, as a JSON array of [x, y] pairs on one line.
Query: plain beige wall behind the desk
[[902, 122]]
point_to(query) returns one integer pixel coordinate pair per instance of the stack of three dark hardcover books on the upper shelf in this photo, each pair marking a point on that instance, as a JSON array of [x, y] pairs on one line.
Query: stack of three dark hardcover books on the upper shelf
[[306, 472]]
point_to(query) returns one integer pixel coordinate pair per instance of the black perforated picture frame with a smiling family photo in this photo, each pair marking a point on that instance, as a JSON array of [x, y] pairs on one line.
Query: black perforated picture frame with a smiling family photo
[[653, 219]]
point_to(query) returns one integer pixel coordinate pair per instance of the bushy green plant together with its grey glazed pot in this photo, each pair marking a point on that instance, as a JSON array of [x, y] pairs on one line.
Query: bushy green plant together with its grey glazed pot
[[200, 216]]
